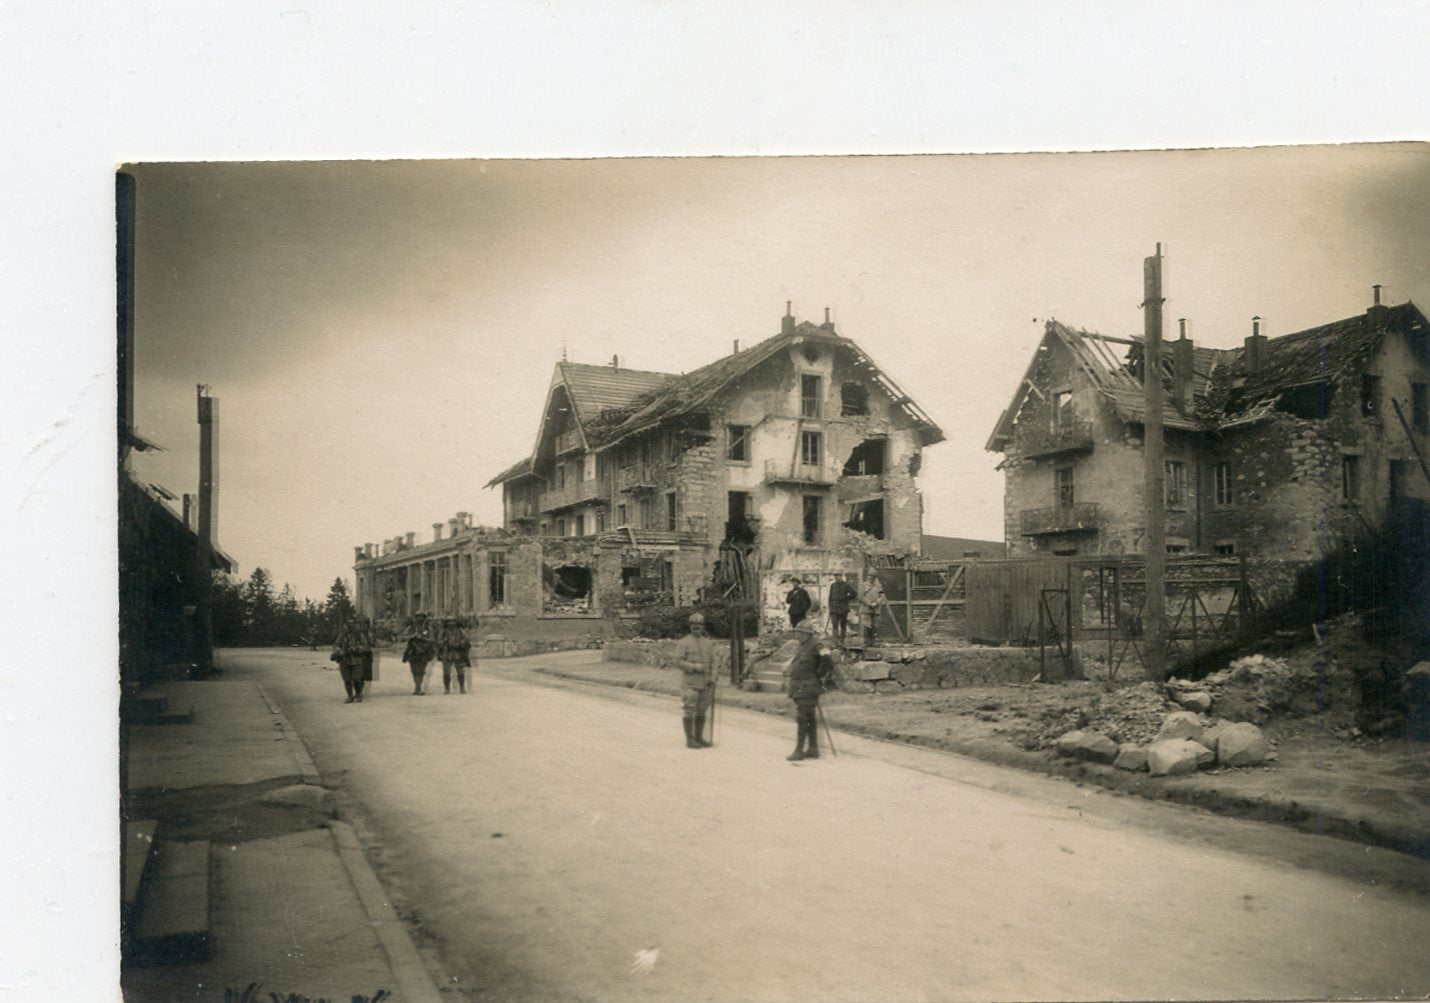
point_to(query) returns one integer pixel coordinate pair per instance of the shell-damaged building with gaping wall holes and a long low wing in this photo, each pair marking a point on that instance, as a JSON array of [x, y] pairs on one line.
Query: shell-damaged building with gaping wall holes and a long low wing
[[793, 457]]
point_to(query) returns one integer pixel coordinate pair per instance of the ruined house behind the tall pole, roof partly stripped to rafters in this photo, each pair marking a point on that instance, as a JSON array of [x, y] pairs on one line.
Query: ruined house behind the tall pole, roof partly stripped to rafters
[[1281, 449]]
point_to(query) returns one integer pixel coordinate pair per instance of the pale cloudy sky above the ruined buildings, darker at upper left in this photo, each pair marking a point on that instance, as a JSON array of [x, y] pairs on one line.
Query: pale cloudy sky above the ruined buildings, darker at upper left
[[381, 336]]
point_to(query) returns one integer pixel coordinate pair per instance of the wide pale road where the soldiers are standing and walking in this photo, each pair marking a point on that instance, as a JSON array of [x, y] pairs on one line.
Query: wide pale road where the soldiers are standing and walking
[[560, 842]]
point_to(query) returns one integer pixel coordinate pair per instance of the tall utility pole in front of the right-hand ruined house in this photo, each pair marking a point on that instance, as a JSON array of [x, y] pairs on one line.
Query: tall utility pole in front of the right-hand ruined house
[[1155, 617]]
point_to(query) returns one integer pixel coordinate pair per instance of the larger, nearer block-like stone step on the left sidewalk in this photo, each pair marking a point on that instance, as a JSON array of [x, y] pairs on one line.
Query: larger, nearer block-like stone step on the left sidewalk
[[174, 908]]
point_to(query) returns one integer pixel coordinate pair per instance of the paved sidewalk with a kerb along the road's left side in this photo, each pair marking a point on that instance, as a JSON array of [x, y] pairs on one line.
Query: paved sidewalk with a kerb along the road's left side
[[294, 906]]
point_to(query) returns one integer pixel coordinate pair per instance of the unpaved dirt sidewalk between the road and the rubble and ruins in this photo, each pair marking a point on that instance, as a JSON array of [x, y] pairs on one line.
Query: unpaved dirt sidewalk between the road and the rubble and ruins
[[1378, 796]]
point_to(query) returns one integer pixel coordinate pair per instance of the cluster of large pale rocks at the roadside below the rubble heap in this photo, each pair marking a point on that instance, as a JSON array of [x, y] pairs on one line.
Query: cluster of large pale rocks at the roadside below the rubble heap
[[1185, 743]]
